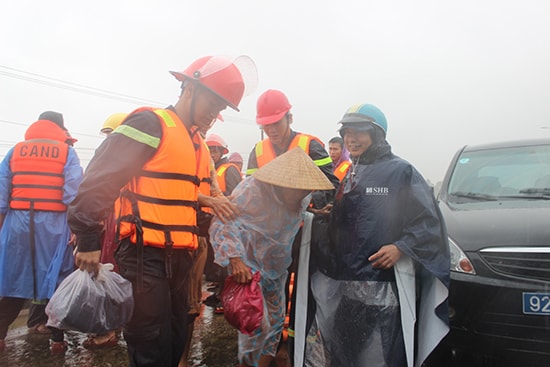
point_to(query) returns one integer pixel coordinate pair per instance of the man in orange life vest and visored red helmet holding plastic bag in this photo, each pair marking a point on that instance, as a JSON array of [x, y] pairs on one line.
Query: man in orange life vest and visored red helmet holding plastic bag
[[154, 162]]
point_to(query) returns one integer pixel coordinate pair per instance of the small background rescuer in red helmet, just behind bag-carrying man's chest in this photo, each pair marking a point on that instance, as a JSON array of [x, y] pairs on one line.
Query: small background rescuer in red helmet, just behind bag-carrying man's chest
[[228, 174]]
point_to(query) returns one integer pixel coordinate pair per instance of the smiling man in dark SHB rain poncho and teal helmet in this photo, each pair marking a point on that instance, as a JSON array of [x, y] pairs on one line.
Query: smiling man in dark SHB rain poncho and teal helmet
[[384, 261]]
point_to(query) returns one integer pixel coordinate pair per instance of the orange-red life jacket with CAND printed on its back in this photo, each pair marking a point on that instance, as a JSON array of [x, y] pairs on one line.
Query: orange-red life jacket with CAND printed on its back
[[37, 166]]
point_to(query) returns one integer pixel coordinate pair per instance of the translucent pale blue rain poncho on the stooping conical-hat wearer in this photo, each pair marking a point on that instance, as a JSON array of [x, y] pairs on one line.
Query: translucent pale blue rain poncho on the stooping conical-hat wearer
[[262, 237]]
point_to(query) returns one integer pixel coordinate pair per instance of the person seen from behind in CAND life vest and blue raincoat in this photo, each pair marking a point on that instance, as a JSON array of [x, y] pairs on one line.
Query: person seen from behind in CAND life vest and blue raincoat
[[39, 177]]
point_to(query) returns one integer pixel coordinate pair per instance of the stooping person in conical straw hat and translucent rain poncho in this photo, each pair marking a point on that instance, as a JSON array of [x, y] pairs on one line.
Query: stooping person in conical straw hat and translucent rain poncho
[[272, 203]]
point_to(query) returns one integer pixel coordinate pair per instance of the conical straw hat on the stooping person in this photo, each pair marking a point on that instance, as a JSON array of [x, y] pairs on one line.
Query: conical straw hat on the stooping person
[[294, 169]]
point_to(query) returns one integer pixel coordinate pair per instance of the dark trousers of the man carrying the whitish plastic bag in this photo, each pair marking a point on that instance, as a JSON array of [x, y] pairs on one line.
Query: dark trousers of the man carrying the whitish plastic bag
[[157, 332]]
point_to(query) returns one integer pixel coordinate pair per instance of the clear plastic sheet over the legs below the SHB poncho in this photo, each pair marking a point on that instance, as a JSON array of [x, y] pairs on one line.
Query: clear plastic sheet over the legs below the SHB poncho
[[359, 324]]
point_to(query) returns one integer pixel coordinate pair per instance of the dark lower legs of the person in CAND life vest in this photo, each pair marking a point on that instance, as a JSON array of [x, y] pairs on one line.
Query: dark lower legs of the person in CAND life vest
[[9, 310]]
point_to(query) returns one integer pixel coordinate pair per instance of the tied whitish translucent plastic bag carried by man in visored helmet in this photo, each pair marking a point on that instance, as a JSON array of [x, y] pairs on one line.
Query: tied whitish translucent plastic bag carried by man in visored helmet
[[91, 304]]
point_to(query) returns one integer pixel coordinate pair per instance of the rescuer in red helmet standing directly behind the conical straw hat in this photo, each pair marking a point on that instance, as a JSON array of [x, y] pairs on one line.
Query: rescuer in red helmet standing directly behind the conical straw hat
[[274, 117]]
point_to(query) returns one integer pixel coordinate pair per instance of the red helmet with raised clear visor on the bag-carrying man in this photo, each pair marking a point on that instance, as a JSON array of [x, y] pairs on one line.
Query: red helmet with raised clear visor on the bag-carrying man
[[227, 78]]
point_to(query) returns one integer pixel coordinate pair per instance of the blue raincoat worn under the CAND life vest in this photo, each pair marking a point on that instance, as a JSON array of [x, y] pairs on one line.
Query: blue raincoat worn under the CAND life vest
[[54, 258]]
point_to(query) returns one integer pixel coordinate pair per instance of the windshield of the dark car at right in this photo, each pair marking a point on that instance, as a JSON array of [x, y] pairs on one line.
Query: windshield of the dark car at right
[[512, 171]]
